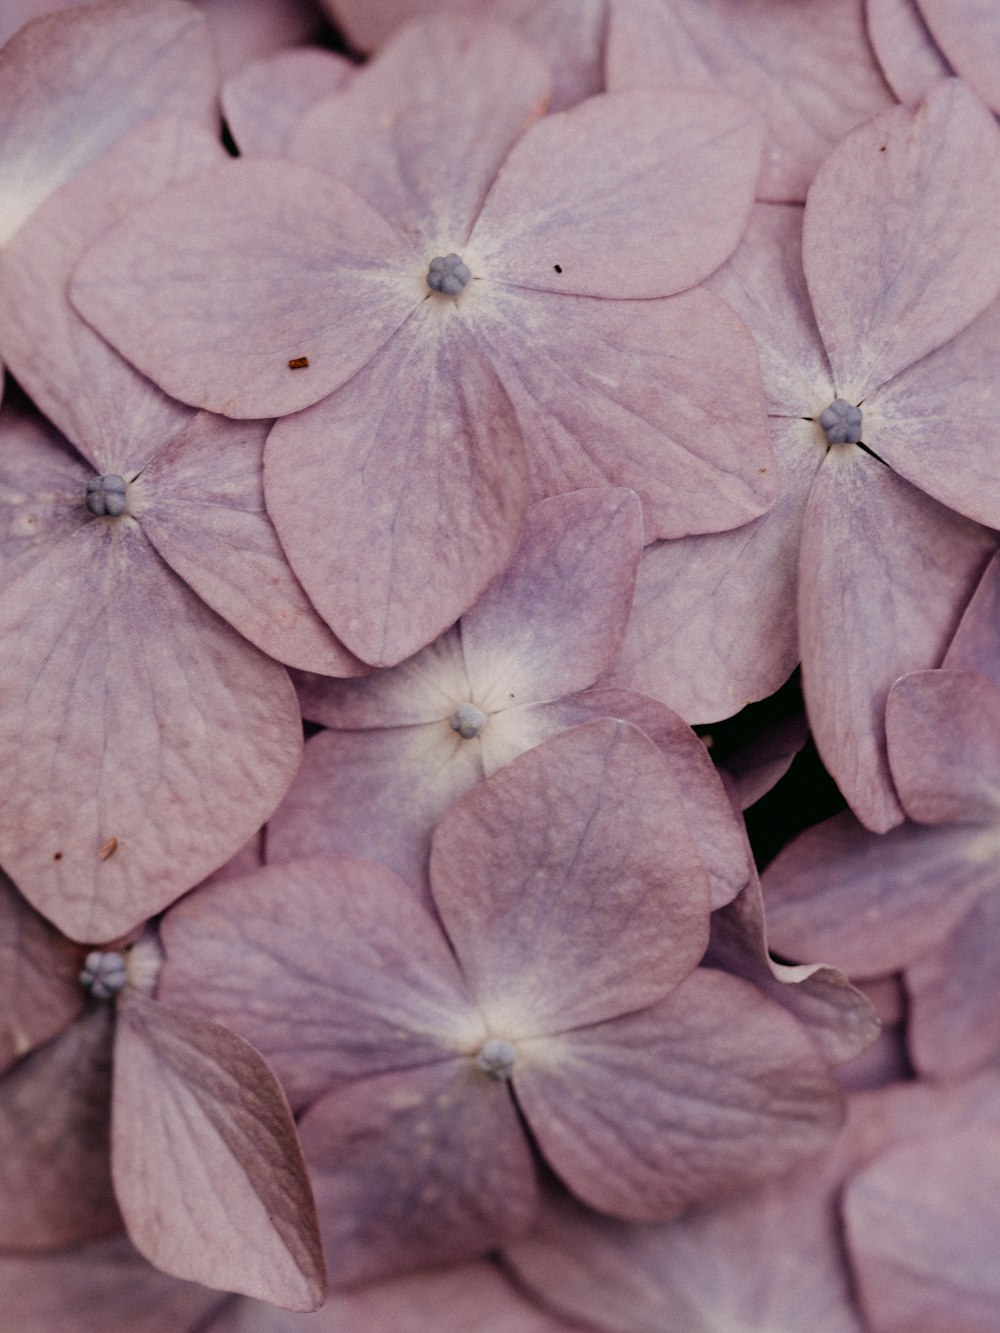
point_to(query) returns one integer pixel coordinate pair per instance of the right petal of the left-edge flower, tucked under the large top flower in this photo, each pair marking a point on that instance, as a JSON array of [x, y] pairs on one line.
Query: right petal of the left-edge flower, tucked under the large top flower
[[203, 511]]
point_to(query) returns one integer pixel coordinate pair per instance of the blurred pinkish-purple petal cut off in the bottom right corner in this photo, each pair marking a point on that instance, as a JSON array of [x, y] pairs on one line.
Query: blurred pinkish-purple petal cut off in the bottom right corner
[[921, 1222]]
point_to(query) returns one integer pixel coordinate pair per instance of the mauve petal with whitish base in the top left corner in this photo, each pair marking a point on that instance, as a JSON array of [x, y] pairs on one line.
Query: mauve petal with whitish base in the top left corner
[[71, 90]]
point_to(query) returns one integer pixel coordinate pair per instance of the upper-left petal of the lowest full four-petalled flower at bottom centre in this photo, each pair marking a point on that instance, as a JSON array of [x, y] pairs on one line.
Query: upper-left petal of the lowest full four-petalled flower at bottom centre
[[346, 972]]
